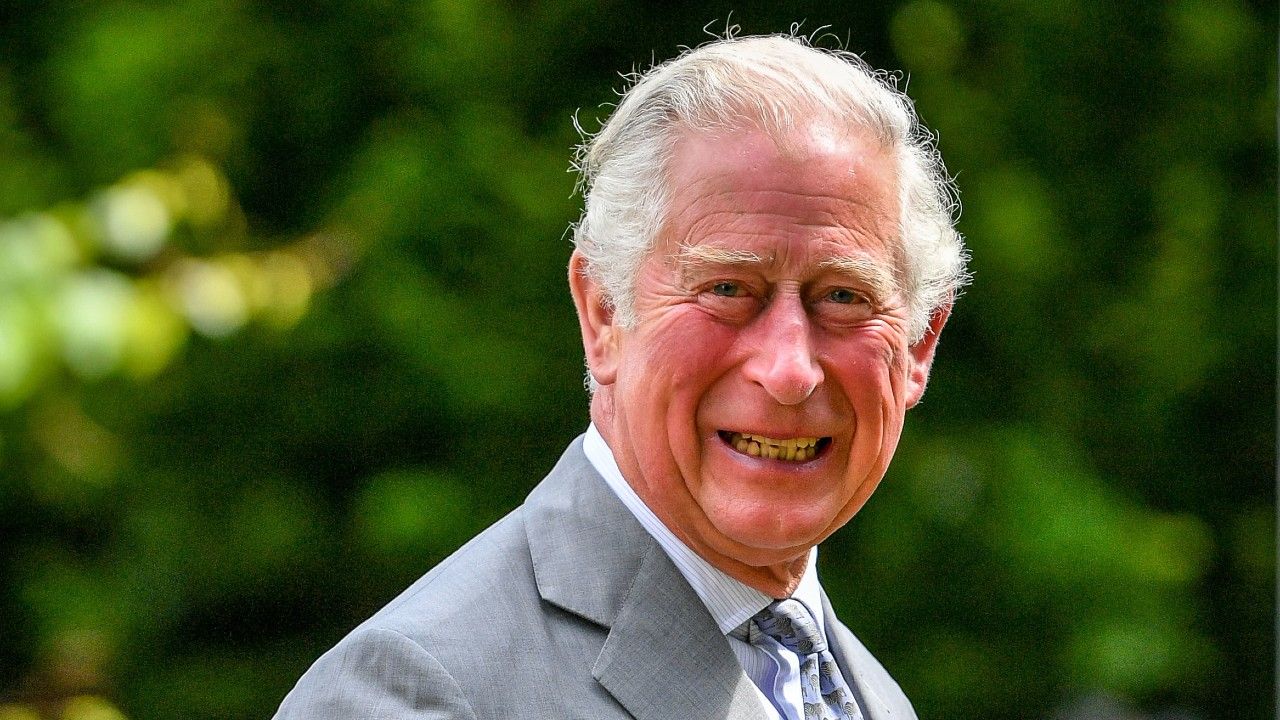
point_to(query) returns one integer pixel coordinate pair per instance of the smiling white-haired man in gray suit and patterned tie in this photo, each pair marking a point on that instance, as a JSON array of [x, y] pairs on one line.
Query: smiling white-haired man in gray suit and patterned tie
[[762, 271]]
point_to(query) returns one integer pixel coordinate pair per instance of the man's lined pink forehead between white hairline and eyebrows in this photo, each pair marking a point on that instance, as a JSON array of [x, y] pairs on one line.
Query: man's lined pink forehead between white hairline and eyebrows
[[815, 192]]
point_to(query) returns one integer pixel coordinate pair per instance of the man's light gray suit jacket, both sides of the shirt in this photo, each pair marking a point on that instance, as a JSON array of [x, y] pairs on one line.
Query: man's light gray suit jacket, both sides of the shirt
[[566, 608]]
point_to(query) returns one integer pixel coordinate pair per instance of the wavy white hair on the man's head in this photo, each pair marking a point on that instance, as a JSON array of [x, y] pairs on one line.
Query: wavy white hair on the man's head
[[775, 84]]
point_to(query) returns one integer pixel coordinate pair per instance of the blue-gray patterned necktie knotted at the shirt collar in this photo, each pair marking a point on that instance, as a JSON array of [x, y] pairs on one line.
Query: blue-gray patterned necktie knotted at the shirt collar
[[826, 698]]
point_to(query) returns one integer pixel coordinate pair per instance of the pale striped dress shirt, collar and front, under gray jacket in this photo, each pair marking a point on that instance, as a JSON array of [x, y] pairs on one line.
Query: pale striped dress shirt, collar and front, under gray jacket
[[774, 669]]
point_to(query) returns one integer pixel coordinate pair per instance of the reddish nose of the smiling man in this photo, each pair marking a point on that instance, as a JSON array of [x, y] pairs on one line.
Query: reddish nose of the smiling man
[[783, 361]]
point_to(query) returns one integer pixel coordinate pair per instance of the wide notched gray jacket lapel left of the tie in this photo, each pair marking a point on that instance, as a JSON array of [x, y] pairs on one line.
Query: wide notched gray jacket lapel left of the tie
[[665, 657]]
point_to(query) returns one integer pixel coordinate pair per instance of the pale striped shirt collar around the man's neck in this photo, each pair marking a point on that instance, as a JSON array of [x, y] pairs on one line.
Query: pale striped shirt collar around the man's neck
[[730, 601]]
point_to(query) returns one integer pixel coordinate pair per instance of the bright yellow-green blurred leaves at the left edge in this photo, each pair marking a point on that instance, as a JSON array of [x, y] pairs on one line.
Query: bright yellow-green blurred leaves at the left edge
[[103, 288]]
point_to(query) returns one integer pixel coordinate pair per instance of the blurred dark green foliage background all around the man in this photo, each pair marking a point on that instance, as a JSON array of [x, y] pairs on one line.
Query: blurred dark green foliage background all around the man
[[284, 321]]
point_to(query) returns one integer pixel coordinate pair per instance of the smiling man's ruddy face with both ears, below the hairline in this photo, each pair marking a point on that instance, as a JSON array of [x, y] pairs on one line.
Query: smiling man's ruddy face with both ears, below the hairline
[[758, 399]]
